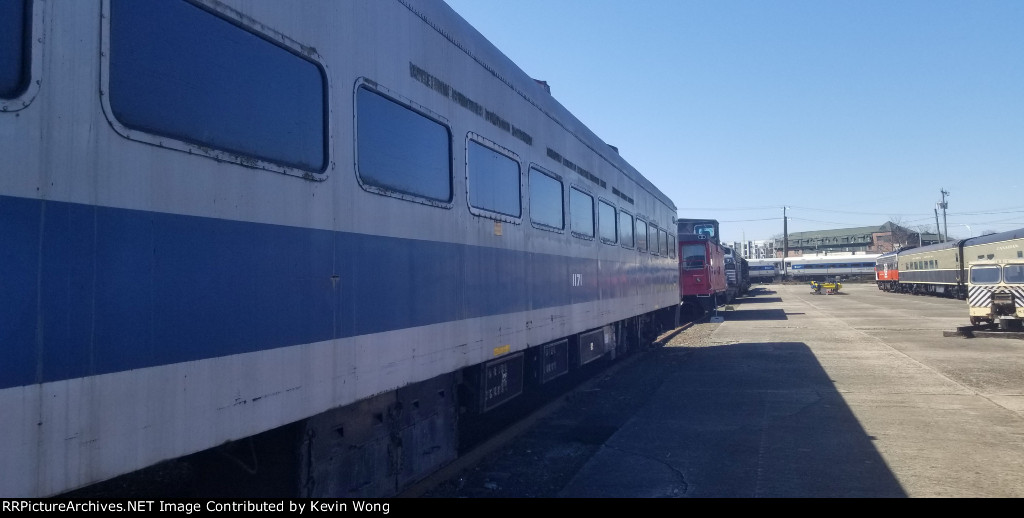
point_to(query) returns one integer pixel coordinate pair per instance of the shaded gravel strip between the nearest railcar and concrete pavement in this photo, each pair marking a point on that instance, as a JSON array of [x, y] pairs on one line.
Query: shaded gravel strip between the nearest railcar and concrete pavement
[[541, 460]]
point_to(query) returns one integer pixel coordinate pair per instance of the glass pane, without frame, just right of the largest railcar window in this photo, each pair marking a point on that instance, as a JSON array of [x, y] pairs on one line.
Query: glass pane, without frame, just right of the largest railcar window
[[402, 150]]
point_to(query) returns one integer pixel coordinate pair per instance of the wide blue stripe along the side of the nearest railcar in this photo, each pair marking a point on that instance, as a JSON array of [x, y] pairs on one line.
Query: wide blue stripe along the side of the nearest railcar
[[110, 290]]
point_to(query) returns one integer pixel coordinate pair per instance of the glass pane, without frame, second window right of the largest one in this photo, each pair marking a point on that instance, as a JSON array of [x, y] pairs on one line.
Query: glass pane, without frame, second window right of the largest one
[[494, 181]]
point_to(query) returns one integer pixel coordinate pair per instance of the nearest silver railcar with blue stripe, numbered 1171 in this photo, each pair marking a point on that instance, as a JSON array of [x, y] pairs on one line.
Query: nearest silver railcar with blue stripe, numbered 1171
[[222, 218]]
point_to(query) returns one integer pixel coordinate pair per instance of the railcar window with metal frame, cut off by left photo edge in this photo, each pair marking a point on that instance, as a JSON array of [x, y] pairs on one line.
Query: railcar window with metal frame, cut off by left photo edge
[[24, 72]]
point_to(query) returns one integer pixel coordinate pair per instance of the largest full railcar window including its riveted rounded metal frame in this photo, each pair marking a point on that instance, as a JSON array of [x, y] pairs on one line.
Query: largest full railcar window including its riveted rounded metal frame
[[294, 139]]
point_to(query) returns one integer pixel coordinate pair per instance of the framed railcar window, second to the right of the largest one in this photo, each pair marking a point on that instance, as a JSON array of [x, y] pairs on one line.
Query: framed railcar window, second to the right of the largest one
[[480, 149]]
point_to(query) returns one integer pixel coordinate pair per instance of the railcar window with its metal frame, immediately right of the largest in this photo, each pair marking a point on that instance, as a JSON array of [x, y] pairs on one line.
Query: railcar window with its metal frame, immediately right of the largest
[[443, 195]]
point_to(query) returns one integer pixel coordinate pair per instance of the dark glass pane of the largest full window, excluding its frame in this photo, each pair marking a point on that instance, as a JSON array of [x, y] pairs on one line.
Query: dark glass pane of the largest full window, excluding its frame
[[180, 71]]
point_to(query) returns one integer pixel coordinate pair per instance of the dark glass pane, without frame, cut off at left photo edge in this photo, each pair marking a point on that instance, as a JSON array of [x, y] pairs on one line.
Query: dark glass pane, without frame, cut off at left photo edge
[[15, 45]]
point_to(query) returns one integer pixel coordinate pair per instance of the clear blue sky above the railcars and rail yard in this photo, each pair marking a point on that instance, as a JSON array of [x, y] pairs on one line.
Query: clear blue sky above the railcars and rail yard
[[847, 113]]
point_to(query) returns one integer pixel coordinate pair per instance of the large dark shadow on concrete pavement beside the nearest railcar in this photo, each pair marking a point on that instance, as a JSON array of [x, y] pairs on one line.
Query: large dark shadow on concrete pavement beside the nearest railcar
[[748, 420]]
